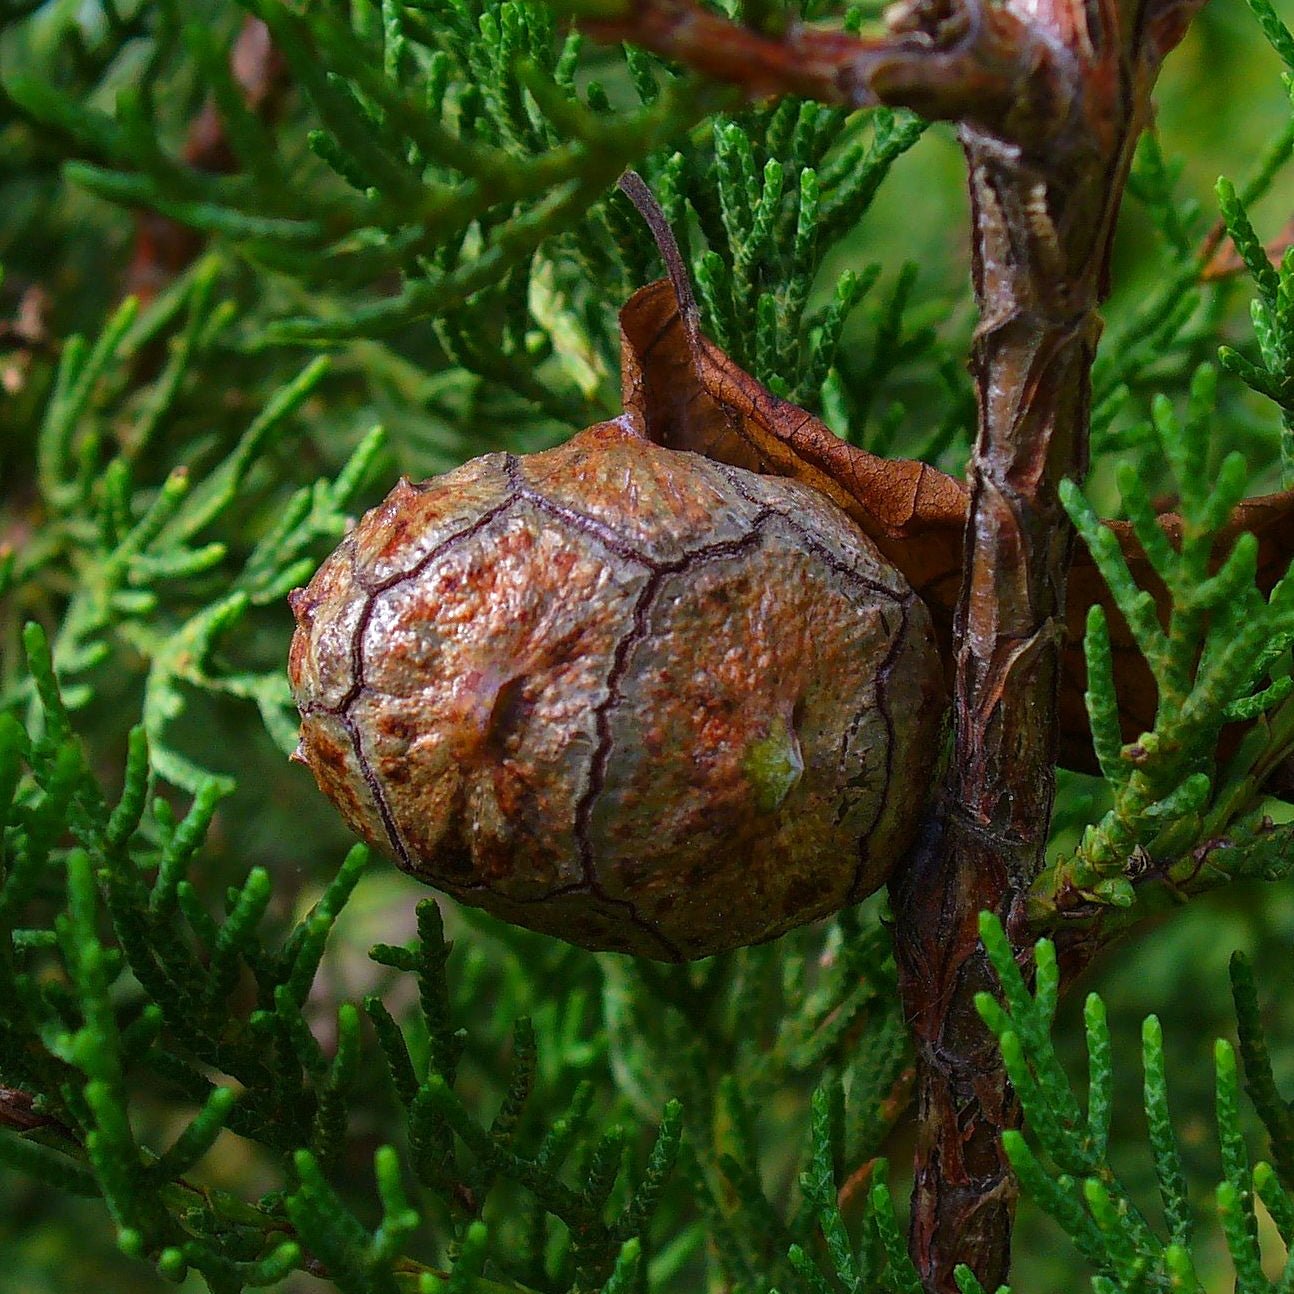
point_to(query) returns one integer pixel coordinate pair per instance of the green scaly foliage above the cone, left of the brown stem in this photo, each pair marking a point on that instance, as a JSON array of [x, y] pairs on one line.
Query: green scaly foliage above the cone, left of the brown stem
[[465, 152]]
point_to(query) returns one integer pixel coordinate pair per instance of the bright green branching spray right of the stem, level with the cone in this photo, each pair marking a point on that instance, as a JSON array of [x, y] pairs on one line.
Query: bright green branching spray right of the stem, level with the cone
[[1221, 658]]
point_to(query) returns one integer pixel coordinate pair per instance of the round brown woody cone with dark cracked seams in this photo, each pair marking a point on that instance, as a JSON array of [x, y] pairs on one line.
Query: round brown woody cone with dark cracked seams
[[622, 694]]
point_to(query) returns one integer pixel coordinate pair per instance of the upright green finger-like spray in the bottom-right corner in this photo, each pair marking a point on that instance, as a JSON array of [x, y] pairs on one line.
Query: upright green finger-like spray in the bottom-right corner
[[1066, 1167]]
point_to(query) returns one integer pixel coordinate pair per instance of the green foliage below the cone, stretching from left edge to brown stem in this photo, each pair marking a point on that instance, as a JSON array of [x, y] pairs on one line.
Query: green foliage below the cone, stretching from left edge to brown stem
[[138, 987]]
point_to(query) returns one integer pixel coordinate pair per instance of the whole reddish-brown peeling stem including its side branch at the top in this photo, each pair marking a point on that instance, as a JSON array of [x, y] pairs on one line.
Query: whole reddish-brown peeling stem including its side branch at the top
[[1050, 98]]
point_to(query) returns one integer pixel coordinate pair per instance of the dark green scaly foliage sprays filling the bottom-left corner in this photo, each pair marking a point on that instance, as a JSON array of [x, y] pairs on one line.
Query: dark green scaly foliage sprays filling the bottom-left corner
[[137, 983]]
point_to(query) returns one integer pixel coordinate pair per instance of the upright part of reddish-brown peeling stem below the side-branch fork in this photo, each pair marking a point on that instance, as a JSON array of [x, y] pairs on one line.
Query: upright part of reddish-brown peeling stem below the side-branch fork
[[1041, 239]]
